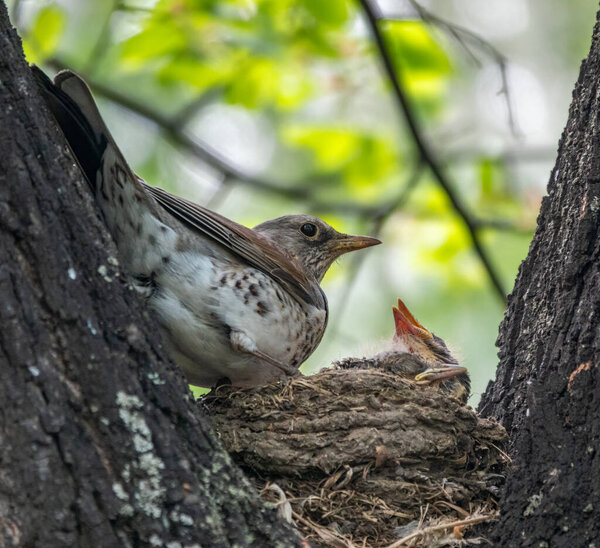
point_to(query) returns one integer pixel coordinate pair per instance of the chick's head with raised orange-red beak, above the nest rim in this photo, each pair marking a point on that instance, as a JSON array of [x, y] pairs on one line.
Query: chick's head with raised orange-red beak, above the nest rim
[[413, 338]]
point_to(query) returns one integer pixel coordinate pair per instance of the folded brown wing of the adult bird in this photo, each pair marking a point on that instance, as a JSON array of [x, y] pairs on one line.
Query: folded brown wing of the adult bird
[[255, 249]]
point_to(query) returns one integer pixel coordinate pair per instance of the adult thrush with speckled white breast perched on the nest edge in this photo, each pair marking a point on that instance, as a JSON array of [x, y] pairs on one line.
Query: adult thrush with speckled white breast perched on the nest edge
[[232, 302]]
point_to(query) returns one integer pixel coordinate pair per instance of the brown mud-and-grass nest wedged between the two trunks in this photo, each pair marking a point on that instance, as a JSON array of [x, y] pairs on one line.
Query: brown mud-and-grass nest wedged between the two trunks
[[364, 457]]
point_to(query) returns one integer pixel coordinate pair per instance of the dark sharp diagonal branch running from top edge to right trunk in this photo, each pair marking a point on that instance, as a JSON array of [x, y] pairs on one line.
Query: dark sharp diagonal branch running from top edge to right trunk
[[426, 152]]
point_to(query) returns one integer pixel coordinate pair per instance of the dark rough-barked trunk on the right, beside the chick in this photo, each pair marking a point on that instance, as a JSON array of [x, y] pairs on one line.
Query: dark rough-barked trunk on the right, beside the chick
[[547, 388]]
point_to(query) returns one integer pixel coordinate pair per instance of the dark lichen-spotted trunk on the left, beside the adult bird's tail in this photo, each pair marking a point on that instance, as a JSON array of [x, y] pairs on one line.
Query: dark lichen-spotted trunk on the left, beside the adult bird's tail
[[101, 442]]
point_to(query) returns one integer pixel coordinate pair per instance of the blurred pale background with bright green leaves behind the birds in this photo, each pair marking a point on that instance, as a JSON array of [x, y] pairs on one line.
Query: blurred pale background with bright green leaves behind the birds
[[260, 108]]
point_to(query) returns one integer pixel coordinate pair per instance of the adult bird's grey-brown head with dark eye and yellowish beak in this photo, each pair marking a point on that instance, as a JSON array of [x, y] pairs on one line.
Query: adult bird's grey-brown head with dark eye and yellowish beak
[[312, 241]]
